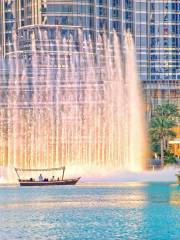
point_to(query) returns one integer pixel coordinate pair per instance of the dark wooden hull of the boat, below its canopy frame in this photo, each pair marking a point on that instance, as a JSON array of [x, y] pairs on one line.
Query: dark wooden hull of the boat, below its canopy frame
[[25, 183]]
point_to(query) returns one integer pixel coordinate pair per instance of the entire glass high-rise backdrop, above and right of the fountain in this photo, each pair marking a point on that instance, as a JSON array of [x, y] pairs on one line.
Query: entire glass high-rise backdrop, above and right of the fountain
[[154, 24]]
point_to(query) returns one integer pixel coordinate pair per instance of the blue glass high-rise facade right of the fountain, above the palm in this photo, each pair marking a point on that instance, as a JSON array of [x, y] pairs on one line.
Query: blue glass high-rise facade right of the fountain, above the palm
[[156, 29]]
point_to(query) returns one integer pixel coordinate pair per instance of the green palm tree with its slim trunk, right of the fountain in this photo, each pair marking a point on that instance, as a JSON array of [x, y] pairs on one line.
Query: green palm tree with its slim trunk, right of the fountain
[[164, 120]]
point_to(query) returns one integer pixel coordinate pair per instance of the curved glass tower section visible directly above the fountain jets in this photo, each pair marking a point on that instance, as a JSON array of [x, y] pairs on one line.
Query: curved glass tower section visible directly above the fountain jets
[[93, 16]]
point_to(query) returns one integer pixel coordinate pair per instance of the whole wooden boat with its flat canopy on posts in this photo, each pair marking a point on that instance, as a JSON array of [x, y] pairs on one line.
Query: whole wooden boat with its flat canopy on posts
[[45, 182]]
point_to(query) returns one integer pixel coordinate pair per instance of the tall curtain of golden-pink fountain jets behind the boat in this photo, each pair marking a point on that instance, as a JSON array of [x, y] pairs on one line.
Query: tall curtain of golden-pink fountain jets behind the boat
[[70, 103]]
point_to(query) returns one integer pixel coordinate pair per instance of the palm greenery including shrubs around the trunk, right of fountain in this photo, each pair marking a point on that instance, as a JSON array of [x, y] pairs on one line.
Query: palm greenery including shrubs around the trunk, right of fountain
[[164, 120]]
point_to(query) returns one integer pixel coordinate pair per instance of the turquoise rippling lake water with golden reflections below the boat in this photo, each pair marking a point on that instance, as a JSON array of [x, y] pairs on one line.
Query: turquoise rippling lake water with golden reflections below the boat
[[126, 211]]
